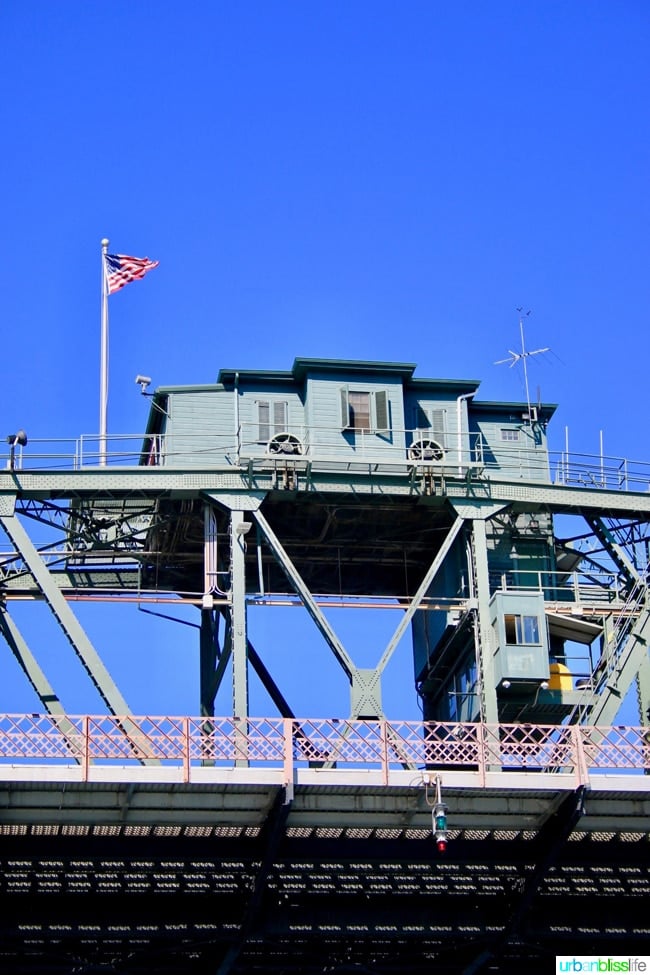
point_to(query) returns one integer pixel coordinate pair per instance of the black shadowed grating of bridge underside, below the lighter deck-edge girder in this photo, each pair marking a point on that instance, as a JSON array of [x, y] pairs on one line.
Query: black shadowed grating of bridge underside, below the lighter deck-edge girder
[[144, 901]]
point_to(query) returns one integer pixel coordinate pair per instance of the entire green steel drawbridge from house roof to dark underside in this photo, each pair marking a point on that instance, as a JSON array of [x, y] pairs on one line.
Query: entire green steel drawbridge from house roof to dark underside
[[284, 842]]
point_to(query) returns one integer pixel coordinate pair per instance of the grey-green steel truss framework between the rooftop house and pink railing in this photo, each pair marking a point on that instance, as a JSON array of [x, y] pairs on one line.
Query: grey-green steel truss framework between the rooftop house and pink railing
[[142, 535]]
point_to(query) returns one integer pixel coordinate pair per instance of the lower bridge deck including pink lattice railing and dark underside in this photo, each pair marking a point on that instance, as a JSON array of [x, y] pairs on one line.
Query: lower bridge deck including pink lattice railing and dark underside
[[138, 844]]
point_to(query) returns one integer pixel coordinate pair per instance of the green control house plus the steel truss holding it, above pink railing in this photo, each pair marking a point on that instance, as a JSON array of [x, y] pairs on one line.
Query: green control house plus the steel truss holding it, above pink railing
[[356, 483]]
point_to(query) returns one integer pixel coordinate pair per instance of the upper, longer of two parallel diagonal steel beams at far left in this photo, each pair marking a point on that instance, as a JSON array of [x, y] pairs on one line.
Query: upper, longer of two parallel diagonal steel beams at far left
[[68, 622]]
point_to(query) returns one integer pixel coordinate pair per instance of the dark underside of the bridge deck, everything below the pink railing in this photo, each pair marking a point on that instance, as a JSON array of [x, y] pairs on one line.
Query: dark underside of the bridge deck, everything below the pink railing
[[130, 877]]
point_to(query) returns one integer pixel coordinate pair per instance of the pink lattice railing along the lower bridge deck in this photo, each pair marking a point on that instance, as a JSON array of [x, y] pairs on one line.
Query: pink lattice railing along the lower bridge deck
[[578, 751]]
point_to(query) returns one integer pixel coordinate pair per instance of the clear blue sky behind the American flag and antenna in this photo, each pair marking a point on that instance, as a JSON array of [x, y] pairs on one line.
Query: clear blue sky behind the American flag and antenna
[[342, 179]]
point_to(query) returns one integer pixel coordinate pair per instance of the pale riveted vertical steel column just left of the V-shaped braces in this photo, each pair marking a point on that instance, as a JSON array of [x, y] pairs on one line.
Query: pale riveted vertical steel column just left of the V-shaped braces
[[238, 530]]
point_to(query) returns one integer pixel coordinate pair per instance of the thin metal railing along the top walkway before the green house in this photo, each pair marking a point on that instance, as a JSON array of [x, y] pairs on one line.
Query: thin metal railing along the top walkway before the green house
[[325, 447]]
